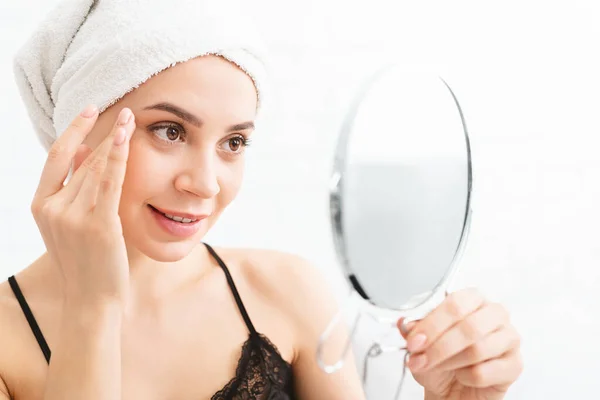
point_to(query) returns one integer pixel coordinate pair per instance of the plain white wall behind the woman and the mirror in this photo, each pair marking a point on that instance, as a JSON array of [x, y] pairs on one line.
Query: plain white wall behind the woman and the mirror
[[526, 73]]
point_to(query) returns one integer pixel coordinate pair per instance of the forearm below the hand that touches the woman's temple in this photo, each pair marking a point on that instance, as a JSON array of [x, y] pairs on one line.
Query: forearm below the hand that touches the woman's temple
[[86, 360]]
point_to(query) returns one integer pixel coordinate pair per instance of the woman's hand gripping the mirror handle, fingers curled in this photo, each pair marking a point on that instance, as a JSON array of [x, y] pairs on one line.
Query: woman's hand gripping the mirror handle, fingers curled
[[465, 349]]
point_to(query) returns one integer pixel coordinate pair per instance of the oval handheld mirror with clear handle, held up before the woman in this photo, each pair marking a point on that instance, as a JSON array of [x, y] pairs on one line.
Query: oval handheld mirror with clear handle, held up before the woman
[[400, 194]]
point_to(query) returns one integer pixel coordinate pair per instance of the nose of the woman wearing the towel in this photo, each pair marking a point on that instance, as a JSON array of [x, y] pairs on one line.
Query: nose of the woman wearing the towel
[[199, 177]]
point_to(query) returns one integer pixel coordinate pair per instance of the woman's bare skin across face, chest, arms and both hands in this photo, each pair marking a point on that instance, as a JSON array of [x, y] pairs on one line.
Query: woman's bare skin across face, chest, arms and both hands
[[132, 311]]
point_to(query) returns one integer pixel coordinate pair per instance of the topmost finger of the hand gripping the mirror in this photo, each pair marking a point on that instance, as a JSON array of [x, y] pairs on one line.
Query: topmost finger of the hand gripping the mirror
[[456, 307]]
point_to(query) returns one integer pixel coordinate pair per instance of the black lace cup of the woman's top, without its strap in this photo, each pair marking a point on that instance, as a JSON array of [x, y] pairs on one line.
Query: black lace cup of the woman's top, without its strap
[[261, 373]]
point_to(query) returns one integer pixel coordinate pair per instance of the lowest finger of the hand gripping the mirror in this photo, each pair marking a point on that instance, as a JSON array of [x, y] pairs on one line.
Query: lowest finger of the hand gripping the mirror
[[499, 373]]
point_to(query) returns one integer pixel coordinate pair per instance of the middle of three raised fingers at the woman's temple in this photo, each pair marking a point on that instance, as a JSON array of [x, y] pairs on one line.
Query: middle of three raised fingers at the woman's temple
[[95, 169]]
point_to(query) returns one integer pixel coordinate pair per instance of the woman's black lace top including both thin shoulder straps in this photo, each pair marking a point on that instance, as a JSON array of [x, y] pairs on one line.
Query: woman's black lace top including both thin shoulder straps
[[261, 373]]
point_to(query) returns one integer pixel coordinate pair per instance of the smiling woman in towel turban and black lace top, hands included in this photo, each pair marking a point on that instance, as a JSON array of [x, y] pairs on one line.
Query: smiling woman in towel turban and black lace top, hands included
[[128, 302]]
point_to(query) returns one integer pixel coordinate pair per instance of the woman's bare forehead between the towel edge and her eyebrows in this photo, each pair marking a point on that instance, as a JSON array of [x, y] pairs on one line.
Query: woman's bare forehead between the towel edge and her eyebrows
[[207, 84]]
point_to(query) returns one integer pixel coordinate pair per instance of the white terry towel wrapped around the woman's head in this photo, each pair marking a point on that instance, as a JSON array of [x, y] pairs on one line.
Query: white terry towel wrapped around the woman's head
[[96, 51]]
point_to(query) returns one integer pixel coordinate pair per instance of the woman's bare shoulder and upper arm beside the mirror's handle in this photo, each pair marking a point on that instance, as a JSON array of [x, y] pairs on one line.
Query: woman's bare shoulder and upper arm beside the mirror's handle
[[300, 290]]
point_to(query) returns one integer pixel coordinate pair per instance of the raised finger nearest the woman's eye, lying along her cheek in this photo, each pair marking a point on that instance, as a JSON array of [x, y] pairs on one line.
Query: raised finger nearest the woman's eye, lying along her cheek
[[109, 196]]
